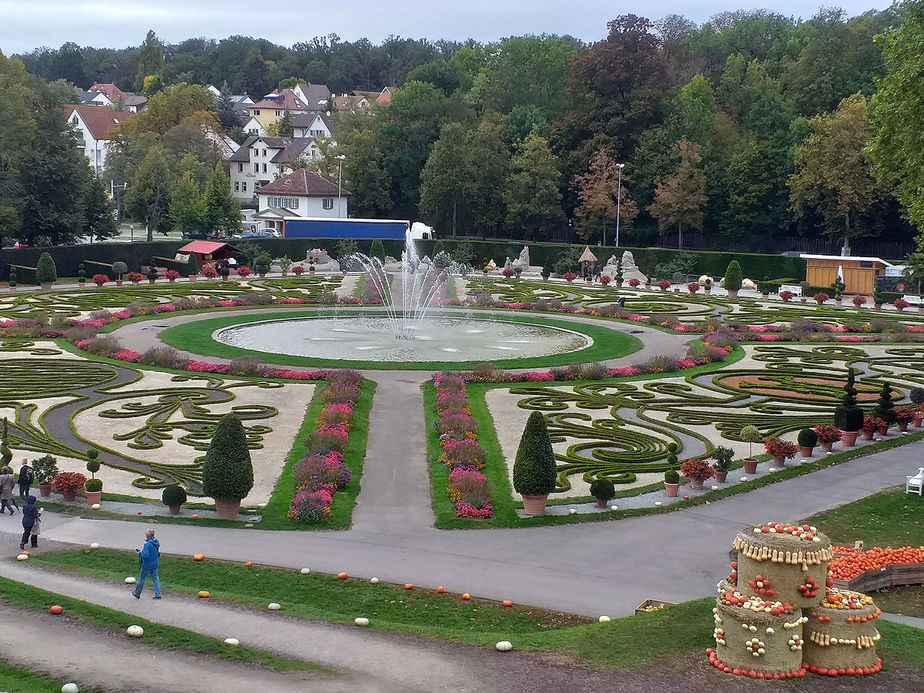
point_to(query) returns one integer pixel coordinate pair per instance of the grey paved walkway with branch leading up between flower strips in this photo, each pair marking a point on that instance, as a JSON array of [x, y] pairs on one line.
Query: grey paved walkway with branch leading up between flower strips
[[591, 569]]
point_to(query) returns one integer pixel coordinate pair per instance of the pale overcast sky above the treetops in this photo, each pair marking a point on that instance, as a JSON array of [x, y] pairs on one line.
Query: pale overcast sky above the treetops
[[27, 24]]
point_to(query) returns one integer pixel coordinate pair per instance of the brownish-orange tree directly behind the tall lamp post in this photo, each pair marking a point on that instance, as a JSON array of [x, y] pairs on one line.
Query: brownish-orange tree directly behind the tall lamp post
[[602, 192]]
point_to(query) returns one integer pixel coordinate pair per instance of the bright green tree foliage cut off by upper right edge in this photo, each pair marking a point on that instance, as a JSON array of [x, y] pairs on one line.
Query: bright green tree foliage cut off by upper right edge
[[899, 142]]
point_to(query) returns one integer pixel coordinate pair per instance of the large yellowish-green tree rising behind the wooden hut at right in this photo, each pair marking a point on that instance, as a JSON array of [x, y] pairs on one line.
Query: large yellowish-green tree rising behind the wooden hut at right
[[833, 170]]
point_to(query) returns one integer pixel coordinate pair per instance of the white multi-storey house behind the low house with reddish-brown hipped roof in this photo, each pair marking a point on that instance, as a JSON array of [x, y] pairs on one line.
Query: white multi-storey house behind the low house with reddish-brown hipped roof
[[260, 160]]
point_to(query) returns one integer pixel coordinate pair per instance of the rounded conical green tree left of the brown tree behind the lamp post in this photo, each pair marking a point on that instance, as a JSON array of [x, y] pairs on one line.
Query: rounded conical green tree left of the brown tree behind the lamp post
[[531, 192]]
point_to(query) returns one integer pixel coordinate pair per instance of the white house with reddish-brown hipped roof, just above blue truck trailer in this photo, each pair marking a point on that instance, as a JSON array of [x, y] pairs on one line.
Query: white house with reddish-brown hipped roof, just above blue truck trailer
[[302, 193]]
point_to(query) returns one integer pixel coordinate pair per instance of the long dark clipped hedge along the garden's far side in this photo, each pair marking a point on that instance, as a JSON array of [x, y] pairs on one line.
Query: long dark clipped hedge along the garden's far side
[[67, 258]]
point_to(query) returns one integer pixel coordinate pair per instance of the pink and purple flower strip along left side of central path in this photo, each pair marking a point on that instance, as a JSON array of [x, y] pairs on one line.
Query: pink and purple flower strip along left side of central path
[[320, 474]]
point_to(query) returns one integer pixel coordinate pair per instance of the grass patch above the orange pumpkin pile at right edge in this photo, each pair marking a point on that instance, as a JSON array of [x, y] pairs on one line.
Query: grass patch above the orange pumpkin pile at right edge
[[889, 518]]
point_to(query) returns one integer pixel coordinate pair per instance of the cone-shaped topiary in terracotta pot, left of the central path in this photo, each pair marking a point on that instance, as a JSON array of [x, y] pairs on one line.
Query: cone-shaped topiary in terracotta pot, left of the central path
[[227, 472]]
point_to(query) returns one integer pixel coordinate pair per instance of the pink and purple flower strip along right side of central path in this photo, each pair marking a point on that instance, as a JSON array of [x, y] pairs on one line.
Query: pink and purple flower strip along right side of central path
[[468, 487]]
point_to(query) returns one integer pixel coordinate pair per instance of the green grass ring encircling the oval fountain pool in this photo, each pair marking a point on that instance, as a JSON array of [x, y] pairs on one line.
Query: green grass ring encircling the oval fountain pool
[[197, 337]]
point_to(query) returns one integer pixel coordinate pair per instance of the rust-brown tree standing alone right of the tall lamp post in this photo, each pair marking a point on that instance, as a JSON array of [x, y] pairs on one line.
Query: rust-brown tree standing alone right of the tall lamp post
[[680, 197]]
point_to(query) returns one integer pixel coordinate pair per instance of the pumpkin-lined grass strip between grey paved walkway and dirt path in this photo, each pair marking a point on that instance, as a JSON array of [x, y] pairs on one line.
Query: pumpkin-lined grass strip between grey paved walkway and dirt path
[[676, 630]]
